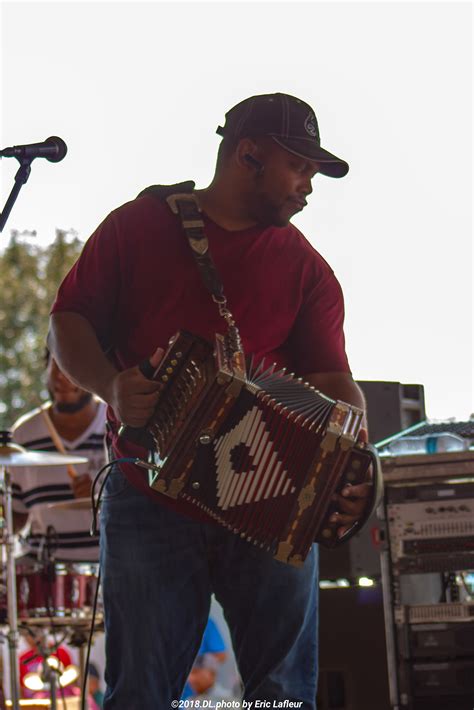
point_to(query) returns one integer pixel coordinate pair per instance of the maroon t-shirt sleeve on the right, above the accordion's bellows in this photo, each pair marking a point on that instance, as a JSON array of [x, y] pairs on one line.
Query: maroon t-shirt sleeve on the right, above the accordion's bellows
[[317, 339]]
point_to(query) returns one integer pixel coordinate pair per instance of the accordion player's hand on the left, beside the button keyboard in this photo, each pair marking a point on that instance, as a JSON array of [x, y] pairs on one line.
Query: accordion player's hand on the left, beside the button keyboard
[[132, 396]]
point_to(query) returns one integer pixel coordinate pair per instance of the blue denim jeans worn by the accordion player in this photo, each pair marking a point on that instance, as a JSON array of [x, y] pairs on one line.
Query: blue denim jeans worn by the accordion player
[[159, 570]]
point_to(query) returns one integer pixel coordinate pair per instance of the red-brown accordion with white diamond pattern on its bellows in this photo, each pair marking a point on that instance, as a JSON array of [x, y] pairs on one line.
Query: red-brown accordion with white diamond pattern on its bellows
[[263, 453]]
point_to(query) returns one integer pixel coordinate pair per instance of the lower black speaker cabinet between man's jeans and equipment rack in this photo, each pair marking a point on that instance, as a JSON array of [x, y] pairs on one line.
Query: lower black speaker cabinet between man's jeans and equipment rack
[[353, 665]]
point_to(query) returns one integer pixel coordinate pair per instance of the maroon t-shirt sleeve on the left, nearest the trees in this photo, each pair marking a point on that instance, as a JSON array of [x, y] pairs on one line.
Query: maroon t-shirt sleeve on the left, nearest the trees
[[92, 286]]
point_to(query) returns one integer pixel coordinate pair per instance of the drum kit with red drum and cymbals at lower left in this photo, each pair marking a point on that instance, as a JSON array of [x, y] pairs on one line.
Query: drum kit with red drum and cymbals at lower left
[[43, 597]]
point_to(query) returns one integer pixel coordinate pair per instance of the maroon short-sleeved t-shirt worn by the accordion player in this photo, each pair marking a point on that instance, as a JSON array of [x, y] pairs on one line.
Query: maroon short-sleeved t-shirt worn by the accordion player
[[136, 282]]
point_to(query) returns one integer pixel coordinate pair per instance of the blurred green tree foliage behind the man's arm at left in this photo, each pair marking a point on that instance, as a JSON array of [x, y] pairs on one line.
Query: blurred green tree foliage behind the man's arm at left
[[29, 277]]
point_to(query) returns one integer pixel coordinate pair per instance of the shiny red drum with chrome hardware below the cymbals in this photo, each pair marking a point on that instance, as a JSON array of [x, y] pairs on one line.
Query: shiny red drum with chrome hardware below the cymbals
[[61, 590]]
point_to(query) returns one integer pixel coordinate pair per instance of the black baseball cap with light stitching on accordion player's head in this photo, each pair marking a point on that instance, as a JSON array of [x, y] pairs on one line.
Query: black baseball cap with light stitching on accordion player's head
[[289, 121]]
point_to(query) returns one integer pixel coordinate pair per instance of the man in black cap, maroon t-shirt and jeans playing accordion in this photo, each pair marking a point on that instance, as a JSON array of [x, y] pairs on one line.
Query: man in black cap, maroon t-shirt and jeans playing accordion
[[134, 286]]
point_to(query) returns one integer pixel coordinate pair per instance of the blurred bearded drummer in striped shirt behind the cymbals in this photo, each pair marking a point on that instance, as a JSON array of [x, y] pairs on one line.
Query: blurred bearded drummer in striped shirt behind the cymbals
[[79, 419]]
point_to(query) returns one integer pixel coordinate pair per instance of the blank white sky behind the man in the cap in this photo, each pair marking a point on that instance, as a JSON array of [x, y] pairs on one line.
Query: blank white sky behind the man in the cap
[[137, 89]]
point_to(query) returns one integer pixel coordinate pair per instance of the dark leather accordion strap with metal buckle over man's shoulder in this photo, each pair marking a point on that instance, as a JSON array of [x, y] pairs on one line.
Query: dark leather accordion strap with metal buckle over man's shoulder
[[183, 202]]
